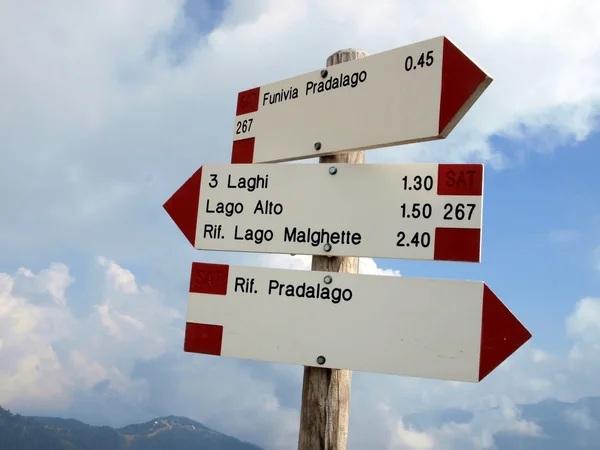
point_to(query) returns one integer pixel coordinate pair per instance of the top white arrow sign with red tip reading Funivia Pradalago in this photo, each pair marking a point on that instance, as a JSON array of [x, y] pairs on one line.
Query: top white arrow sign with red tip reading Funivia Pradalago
[[410, 94]]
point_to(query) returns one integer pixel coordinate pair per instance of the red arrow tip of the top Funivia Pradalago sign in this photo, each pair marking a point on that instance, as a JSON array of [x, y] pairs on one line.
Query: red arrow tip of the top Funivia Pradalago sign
[[462, 84]]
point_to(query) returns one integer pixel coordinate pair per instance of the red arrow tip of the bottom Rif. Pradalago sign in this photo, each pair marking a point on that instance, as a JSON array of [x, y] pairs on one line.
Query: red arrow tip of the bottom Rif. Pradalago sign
[[501, 333]]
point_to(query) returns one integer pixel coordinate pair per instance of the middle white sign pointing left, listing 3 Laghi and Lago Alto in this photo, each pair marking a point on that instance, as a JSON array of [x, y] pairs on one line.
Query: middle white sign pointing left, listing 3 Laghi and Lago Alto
[[404, 211]]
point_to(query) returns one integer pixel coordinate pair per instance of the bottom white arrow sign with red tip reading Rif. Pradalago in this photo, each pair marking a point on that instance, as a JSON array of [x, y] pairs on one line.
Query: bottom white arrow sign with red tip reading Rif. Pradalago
[[445, 329]]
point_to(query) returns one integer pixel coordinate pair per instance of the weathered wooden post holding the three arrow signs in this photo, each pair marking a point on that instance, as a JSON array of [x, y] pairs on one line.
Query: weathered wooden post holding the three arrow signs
[[326, 392]]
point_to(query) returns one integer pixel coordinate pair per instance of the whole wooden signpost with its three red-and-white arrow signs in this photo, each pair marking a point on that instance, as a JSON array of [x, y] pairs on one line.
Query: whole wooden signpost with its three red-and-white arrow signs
[[330, 319]]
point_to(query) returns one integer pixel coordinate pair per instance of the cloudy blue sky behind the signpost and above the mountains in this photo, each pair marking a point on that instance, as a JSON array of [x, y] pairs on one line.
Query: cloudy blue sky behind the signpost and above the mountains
[[109, 107]]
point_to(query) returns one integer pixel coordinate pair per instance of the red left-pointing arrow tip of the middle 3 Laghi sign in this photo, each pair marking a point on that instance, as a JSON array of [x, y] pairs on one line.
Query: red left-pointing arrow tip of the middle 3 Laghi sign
[[183, 206]]
